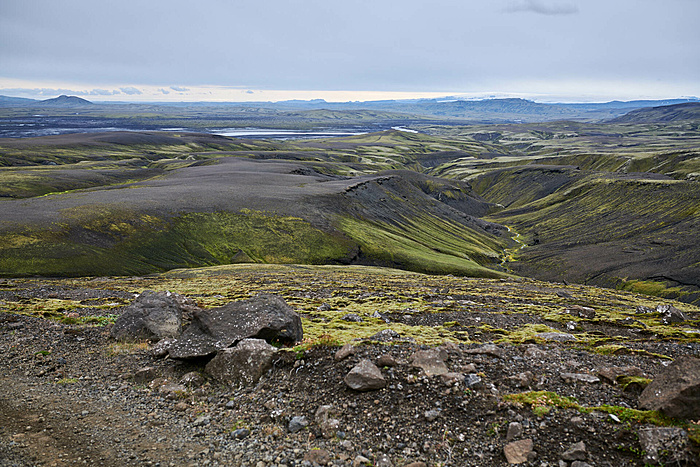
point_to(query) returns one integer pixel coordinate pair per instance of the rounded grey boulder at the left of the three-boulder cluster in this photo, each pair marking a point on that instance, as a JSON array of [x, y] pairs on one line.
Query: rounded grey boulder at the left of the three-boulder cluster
[[153, 315]]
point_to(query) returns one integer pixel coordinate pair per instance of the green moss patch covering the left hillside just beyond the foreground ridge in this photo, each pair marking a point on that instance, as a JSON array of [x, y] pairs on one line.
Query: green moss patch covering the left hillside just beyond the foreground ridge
[[136, 244]]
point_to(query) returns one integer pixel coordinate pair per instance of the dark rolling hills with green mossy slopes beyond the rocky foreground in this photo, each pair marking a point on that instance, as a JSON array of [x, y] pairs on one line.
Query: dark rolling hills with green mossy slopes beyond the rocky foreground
[[612, 204]]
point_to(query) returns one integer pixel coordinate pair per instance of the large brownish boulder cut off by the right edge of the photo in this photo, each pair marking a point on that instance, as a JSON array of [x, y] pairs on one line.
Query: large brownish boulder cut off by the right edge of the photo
[[676, 391]]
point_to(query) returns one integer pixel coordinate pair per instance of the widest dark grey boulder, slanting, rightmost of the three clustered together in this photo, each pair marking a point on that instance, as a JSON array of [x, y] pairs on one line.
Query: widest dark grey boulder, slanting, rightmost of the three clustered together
[[265, 317]]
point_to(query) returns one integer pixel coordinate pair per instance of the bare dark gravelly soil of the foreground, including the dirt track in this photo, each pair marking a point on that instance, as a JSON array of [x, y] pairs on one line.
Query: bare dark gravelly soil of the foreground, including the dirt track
[[70, 395]]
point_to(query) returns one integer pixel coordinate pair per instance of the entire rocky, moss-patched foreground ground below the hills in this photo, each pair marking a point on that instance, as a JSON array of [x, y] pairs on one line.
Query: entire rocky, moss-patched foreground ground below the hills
[[393, 369]]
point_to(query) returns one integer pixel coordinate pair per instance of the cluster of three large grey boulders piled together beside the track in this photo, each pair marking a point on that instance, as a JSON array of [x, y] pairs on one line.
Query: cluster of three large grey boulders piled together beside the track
[[237, 335]]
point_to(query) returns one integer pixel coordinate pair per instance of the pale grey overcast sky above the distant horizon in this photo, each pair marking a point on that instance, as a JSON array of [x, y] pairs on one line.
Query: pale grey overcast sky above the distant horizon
[[271, 50]]
